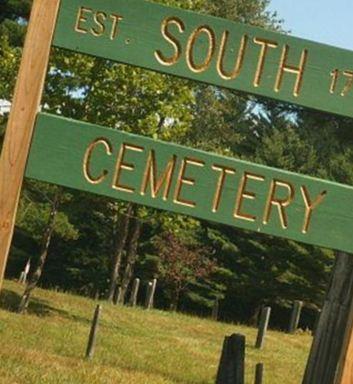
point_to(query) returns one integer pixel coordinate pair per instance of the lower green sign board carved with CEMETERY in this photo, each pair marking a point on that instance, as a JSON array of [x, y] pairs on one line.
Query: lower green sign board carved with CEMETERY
[[192, 182]]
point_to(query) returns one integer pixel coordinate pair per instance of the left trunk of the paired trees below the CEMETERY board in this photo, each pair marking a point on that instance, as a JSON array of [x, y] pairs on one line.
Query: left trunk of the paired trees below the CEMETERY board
[[118, 251]]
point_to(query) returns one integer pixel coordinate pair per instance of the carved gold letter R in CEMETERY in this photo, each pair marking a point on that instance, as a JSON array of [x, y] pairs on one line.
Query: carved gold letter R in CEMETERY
[[281, 204]]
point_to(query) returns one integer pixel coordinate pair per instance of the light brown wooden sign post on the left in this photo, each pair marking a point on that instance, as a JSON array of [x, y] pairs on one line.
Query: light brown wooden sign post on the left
[[25, 105]]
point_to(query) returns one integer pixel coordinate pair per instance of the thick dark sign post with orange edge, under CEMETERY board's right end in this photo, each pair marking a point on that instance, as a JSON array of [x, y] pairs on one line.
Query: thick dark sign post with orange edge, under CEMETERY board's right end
[[331, 355]]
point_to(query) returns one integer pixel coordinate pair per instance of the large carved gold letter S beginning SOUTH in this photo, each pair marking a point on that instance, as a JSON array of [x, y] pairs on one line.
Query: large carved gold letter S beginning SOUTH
[[172, 40]]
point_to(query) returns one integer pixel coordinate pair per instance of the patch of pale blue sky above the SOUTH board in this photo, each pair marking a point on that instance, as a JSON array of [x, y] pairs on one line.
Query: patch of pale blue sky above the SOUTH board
[[324, 21]]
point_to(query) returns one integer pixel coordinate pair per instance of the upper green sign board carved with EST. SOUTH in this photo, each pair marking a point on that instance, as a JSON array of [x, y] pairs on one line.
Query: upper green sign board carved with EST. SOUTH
[[210, 50]]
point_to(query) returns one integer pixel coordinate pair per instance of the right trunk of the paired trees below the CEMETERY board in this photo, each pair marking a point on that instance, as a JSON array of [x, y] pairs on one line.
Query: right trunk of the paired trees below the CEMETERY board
[[131, 258]]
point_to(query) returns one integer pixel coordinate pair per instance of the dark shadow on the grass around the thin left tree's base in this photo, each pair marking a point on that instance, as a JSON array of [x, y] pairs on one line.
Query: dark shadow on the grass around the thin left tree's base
[[10, 300]]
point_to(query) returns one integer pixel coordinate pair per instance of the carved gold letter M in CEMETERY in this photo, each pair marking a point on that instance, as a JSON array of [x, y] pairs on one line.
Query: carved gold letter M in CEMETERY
[[150, 177]]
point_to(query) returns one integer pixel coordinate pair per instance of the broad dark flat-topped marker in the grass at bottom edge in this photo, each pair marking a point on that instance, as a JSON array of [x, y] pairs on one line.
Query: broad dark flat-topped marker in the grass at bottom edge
[[232, 364]]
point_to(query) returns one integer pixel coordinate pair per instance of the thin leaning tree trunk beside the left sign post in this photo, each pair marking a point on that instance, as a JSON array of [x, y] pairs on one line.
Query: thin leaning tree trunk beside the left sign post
[[37, 273]]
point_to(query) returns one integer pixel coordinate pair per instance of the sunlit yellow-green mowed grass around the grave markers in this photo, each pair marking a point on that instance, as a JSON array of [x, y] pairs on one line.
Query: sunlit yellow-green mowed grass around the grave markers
[[133, 346]]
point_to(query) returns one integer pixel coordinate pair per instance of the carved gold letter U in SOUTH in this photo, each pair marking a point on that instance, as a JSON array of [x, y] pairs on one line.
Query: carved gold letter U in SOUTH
[[240, 58]]
